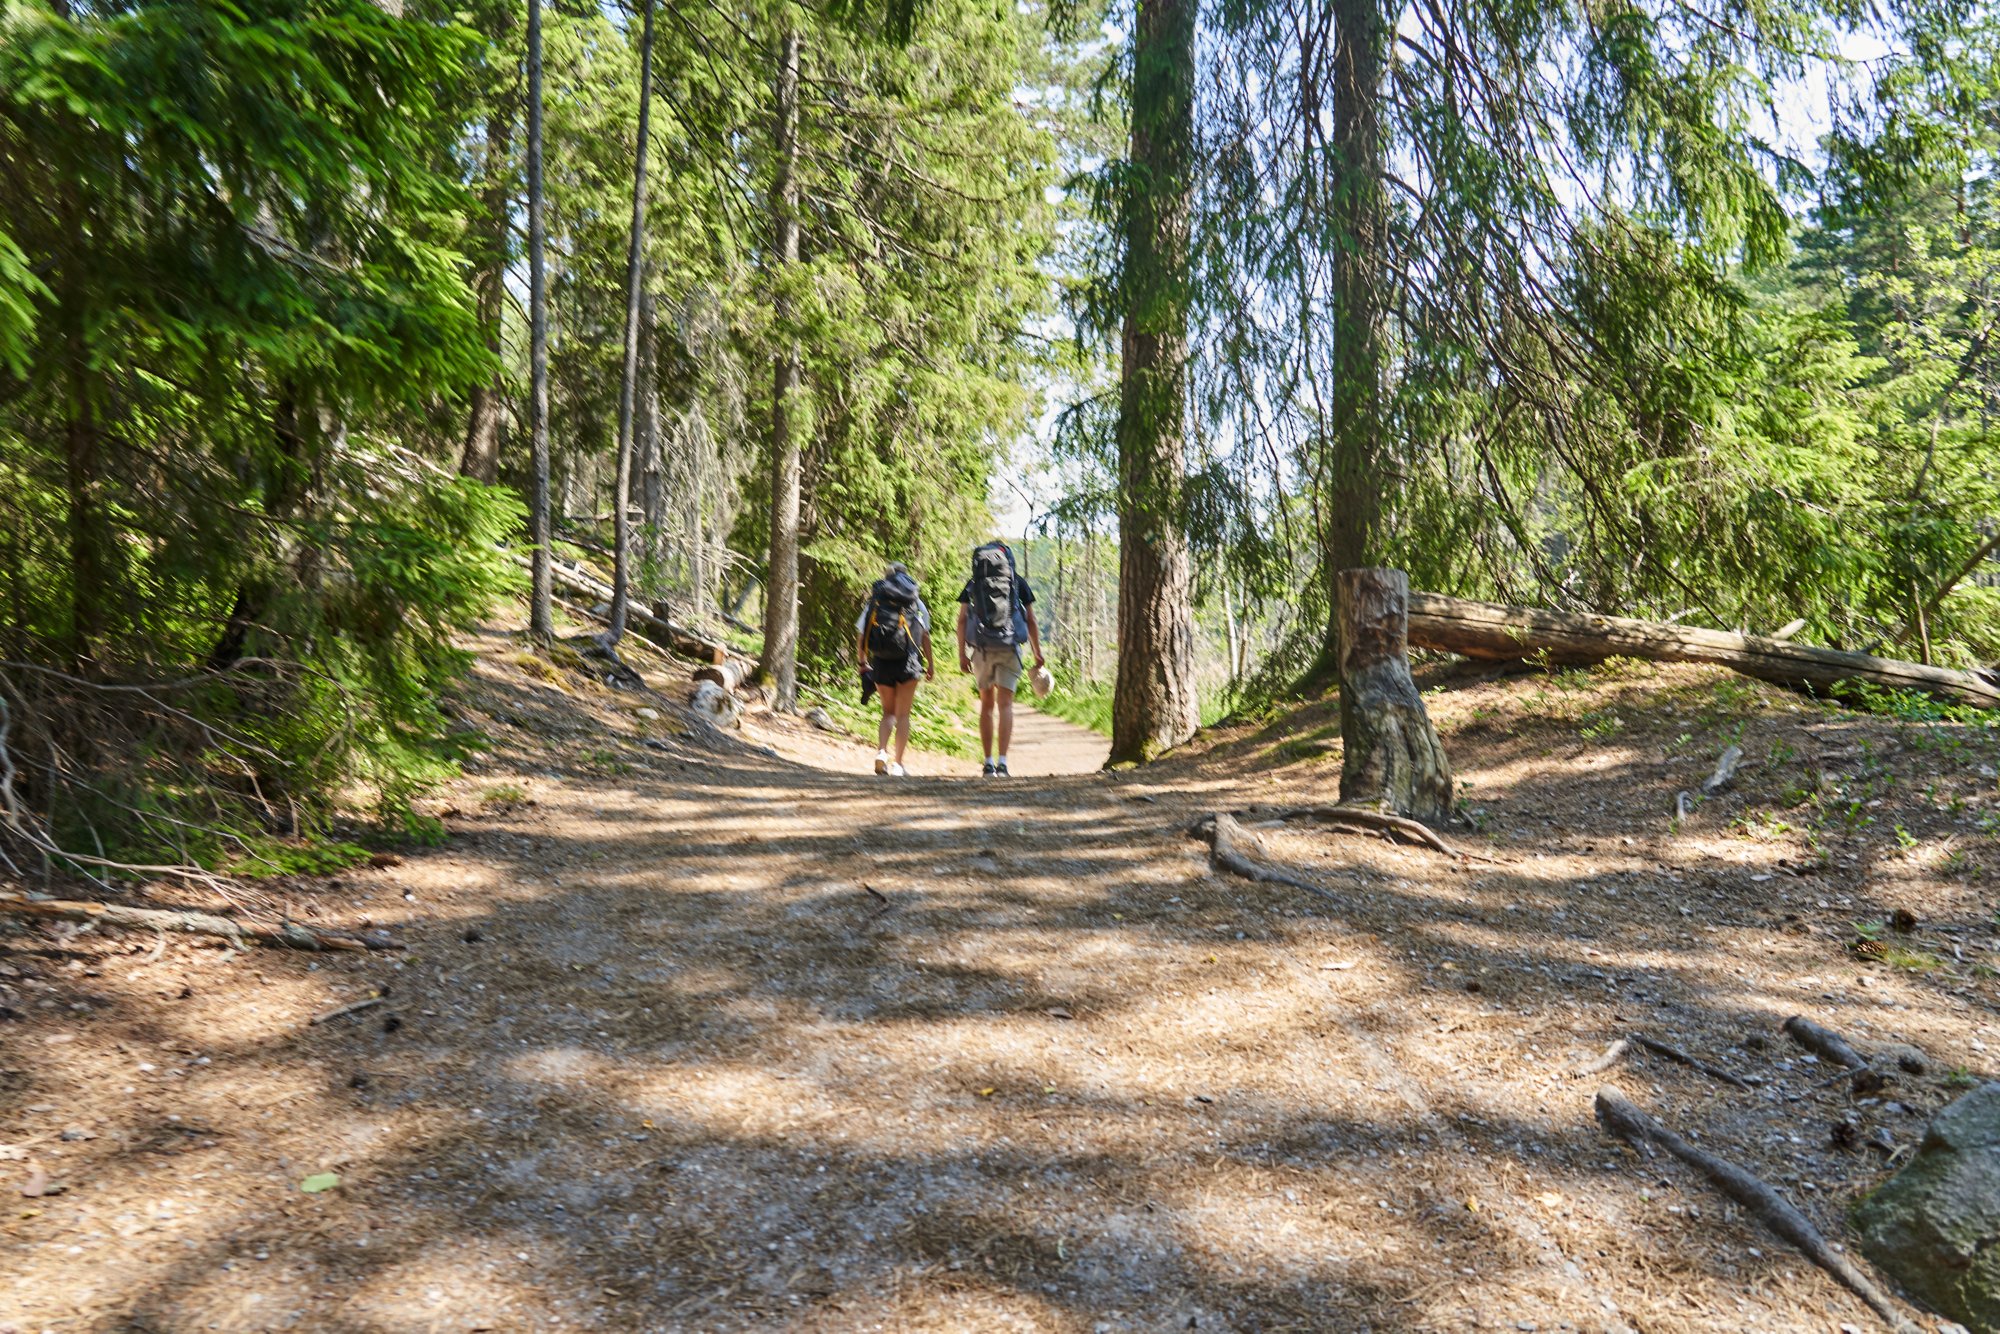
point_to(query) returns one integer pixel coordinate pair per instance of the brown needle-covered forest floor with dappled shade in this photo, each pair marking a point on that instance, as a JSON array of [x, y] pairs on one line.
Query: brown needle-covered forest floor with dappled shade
[[715, 1033]]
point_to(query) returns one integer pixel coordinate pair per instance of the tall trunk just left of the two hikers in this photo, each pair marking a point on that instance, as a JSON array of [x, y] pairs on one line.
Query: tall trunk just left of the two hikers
[[781, 591]]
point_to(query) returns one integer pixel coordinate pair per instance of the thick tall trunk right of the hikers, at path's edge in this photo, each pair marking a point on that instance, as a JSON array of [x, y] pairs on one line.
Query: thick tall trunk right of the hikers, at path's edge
[[1155, 703]]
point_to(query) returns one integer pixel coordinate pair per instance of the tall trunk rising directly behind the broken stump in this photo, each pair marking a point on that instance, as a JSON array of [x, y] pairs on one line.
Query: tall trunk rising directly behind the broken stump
[[1353, 511]]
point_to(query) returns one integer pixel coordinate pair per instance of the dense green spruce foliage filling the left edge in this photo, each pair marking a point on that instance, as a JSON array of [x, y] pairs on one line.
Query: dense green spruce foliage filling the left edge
[[229, 589]]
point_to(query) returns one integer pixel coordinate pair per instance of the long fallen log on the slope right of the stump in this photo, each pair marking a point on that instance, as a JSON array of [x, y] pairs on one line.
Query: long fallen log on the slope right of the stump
[[1503, 633]]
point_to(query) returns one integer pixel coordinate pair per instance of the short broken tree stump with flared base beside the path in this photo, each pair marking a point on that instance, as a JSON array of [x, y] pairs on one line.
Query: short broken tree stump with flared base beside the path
[[1393, 759]]
